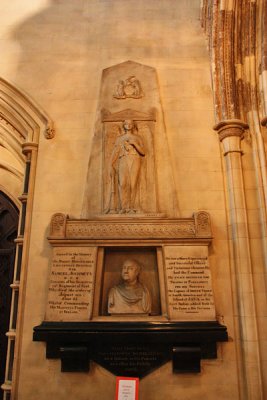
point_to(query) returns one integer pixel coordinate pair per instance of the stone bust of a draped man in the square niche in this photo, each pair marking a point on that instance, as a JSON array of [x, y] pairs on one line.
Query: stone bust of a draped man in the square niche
[[130, 296]]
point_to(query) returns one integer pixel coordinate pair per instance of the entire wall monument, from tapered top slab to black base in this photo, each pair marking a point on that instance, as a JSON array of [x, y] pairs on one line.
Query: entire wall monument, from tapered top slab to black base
[[130, 286]]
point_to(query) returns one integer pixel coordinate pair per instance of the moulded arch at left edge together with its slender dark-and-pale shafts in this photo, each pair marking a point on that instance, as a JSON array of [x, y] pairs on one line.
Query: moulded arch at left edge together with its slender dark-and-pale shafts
[[21, 123]]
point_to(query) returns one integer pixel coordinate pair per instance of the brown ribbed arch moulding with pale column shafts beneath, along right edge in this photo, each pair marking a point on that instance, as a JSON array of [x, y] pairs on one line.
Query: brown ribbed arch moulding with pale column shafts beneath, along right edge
[[232, 28]]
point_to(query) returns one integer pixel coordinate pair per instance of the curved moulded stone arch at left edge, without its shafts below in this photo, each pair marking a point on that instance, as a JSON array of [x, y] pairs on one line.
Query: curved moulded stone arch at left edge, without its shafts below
[[21, 123]]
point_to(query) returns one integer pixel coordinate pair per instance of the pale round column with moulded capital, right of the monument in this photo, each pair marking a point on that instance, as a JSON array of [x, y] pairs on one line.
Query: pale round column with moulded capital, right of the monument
[[231, 132]]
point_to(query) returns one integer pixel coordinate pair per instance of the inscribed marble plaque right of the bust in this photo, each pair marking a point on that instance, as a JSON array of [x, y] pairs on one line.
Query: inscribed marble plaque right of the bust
[[189, 290]]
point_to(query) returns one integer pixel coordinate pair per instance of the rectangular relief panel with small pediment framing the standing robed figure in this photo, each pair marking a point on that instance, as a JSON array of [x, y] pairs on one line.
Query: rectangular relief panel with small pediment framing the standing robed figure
[[129, 180]]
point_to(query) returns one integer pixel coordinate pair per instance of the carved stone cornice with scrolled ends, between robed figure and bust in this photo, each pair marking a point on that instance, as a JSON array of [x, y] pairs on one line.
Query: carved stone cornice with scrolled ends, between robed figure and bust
[[63, 228]]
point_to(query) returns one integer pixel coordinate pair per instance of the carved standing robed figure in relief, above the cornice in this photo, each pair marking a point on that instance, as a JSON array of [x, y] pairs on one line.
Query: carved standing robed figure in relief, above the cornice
[[125, 164]]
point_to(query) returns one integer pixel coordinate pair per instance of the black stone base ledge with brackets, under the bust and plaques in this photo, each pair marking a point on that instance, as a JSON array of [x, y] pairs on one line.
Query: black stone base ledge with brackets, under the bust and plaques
[[131, 348]]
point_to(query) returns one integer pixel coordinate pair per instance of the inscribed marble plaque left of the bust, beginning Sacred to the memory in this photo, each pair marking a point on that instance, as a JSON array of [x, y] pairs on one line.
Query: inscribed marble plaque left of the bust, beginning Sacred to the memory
[[70, 293]]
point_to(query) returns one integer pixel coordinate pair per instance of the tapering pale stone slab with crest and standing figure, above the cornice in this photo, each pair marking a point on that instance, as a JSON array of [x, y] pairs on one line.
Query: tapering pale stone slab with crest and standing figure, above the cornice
[[130, 154]]
